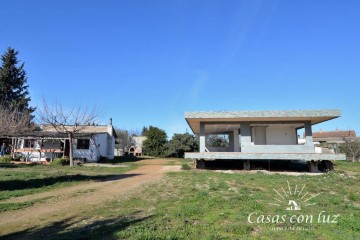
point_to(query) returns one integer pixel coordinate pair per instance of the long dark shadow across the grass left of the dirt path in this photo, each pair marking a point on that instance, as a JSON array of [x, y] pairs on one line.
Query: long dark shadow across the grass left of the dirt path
[[10, 185]]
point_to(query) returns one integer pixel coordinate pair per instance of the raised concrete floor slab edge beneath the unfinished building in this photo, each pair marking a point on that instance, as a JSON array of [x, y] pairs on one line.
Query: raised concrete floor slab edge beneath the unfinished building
[[266, 156]]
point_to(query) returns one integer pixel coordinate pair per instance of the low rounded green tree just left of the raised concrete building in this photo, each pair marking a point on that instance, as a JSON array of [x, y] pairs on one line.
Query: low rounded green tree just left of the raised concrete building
[[181, 143]]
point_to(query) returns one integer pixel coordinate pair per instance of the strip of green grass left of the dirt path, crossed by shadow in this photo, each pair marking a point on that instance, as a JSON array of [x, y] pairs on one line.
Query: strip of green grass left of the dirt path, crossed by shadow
[[20, 180]]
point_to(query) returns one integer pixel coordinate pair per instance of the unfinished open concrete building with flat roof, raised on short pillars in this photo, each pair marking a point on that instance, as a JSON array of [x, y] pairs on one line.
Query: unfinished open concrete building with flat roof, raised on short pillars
[[260, 135]]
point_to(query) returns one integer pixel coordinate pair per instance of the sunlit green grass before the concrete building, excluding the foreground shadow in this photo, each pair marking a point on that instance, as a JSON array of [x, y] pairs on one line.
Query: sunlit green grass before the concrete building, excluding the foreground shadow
[[207, 205]]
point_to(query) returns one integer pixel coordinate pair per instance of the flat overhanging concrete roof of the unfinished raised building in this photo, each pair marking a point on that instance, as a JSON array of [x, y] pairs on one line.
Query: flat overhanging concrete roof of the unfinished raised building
[[277, 116]]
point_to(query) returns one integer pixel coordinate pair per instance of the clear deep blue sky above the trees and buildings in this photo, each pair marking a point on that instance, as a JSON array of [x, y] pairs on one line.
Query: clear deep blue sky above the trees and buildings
[[147, 62]]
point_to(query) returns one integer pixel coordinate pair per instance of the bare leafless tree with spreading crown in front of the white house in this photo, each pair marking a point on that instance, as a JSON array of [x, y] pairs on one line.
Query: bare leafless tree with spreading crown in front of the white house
[[67, 121]]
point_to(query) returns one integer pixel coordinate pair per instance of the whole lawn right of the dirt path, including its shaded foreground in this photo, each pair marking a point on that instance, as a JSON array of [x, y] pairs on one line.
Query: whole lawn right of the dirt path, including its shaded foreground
[[212, 205]]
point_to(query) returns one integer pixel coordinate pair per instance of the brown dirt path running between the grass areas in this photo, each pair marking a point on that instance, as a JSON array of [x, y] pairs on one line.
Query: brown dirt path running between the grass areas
[[71, 201]]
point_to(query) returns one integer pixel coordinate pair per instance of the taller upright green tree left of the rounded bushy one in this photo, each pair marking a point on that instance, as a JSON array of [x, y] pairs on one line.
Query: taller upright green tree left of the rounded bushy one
[[154, 145]]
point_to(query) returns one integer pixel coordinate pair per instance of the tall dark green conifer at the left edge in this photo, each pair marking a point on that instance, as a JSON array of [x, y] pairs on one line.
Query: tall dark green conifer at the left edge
[[13, 89]]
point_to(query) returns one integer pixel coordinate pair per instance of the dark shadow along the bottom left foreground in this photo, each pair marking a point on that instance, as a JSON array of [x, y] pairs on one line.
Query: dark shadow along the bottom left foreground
[[71, 229]]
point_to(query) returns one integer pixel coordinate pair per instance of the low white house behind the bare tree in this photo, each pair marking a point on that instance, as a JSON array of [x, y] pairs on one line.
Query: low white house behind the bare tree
[[91, 143]]
